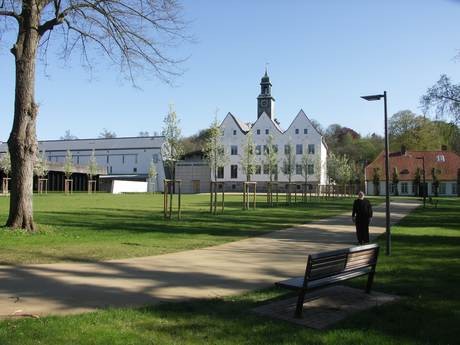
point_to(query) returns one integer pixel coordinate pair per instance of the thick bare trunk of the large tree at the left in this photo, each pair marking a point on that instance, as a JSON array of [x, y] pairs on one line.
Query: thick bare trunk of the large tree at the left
[[22, 142]]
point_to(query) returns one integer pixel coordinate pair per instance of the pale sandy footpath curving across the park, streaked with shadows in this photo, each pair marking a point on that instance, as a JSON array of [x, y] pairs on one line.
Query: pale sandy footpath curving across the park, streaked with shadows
[[226, 269]]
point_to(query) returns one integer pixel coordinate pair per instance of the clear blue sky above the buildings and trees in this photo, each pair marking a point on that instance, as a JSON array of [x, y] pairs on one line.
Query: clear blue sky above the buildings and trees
[[322, 56]]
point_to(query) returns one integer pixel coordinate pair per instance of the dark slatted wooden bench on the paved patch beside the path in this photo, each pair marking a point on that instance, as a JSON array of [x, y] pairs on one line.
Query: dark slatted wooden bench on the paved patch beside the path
[[333, 267]]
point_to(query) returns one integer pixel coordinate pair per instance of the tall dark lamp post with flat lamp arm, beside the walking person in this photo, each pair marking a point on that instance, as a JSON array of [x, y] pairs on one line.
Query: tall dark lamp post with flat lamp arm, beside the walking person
[[387, 168]]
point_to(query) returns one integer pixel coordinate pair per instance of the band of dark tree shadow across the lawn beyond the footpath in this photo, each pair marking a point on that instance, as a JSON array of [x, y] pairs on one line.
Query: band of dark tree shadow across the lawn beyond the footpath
[[234, 223]]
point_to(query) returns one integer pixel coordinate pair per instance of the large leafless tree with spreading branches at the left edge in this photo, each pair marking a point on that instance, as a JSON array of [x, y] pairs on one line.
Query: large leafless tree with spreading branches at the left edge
[[131, 33]]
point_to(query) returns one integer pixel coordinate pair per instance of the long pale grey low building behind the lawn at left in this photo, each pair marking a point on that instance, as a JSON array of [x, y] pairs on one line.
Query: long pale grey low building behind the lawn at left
[[126, 158]]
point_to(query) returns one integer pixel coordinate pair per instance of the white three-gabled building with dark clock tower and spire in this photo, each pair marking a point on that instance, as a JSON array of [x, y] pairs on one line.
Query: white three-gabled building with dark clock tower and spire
[[301, 134]]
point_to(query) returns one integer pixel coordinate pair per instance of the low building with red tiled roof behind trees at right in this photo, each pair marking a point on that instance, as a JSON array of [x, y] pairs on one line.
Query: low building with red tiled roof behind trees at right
[[409, 164]]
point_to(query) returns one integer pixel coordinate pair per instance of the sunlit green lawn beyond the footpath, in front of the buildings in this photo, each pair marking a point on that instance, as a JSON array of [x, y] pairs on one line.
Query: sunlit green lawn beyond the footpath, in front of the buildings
[[86, 227]]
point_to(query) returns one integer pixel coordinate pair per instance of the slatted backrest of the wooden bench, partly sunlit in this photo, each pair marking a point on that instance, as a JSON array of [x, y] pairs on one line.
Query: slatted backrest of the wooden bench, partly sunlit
[[327, 264]]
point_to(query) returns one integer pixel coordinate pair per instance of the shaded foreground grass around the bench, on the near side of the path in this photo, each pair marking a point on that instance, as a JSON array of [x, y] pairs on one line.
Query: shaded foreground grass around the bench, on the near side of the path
[[424, 270]]
